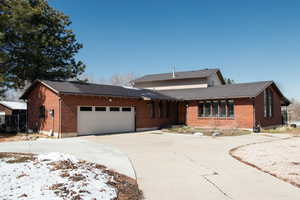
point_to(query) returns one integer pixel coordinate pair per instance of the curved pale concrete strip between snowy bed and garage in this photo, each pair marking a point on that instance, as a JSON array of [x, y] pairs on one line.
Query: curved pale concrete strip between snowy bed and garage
[[104, 154]]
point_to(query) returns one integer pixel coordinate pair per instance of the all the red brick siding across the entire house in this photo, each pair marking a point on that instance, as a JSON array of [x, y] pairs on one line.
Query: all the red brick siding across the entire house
[[42, 95]]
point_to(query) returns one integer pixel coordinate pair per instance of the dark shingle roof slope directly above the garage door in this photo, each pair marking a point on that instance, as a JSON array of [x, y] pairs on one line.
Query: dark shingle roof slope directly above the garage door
[[102, 90]]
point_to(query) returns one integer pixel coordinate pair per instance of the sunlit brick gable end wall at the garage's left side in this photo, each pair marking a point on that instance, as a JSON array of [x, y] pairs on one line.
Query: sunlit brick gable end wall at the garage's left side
[[41, 95]]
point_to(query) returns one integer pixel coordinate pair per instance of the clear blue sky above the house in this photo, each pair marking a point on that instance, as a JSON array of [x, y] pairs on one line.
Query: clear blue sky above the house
[[248, 40]]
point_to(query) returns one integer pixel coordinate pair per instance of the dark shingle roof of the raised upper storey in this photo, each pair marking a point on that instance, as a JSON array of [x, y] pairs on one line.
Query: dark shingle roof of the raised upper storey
[[178, 75]]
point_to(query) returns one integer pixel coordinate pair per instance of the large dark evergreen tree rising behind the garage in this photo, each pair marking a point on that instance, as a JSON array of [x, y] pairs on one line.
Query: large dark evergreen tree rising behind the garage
[[35, 43]]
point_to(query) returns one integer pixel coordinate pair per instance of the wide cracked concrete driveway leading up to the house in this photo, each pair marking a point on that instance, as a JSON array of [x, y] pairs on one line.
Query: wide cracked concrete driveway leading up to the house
[[180, 167]]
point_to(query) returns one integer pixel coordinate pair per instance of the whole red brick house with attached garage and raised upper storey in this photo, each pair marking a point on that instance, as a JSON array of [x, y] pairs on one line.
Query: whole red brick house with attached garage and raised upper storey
[[195, 98]]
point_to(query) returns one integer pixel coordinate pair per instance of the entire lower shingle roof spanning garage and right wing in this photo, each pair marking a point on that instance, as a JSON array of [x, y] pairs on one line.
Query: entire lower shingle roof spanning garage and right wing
[[243, 90]]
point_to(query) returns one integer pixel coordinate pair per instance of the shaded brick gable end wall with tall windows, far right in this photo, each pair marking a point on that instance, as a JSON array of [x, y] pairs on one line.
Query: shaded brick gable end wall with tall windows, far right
[[259, 110]]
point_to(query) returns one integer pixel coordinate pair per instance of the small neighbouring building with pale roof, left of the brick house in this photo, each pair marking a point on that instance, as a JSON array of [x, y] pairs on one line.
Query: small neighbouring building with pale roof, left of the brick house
[[13, 116]]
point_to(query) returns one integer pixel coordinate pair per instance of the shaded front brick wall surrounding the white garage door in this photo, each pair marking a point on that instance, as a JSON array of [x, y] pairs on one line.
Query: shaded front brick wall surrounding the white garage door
[[70, 105]]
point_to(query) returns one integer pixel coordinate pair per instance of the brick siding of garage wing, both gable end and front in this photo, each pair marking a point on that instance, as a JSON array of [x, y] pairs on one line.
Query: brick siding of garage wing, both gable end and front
[[41, 95]]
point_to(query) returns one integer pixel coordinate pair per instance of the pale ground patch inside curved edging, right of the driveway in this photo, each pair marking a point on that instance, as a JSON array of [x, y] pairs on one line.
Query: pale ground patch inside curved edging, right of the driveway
[[280, 158]]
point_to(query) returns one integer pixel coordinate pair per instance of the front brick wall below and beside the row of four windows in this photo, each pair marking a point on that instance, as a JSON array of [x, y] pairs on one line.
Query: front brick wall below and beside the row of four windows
[[243, 117]]
